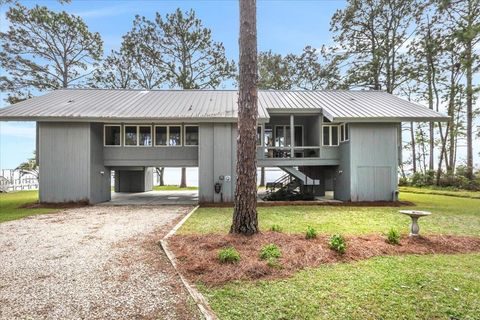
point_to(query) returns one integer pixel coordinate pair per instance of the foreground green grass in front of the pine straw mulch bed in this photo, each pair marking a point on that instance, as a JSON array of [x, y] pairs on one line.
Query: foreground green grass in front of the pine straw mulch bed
[[403, 287]]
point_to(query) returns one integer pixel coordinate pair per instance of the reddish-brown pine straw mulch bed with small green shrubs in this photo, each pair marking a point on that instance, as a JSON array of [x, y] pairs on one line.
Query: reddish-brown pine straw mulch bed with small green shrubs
[[197, 254]]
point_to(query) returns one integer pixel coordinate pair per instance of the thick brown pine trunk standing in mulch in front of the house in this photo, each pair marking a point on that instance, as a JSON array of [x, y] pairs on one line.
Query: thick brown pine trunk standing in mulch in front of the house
[[245, 220]]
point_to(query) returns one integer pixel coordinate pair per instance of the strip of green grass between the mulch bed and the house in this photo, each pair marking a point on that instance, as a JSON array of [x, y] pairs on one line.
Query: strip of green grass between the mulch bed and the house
[[451, 215]]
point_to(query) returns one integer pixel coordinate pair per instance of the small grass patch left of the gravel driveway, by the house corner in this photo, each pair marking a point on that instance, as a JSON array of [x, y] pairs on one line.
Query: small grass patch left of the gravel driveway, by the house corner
[[10, 203]]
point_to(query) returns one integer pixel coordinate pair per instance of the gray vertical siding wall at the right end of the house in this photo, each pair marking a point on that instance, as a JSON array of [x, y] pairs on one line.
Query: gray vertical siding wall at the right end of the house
[[374, 161]]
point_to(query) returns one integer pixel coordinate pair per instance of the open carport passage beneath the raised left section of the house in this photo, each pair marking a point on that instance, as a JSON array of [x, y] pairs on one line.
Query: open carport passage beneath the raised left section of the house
[[153, 186]]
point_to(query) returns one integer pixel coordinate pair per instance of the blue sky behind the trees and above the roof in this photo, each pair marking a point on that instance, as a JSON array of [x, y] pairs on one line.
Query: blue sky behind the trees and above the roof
[[283, 27]]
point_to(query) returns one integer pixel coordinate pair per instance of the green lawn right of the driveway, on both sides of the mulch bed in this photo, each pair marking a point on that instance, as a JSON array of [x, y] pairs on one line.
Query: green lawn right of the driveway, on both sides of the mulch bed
[[391, 287]]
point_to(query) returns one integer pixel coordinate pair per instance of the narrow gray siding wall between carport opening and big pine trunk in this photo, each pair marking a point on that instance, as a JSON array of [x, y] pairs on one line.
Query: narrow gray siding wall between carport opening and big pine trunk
[[217, 158]]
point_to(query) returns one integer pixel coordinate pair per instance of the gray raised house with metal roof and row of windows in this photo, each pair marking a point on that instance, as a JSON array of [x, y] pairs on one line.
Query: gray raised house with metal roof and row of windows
[[345, 141]]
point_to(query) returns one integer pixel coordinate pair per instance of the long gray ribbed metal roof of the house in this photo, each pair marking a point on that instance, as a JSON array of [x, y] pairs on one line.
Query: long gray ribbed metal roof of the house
[[212, 105]]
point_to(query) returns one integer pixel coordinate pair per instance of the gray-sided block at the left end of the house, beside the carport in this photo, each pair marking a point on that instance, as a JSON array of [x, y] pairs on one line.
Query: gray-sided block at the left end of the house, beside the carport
[[71, 163]]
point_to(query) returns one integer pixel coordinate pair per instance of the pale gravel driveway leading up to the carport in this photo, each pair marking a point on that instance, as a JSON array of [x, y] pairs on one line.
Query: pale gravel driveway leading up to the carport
[[91, 263]]
